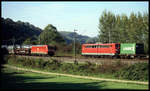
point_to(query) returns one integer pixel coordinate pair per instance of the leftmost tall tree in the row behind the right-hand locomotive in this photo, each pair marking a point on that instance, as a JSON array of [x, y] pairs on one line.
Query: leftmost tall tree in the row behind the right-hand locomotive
[[106, 26]]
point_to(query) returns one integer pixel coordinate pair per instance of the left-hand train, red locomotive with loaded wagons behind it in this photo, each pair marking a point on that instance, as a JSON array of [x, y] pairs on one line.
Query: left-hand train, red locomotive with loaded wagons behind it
[[30, 49]]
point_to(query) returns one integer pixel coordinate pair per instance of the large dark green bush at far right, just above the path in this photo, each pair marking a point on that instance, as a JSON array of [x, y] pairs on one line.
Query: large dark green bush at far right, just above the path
[[138, 71]]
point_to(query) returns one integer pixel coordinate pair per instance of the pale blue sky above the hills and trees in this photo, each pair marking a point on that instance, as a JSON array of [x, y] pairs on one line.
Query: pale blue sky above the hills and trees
[[68, 16]]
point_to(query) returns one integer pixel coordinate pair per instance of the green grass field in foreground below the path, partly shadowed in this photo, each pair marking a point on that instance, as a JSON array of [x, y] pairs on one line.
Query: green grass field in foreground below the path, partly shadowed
[[16, 79]]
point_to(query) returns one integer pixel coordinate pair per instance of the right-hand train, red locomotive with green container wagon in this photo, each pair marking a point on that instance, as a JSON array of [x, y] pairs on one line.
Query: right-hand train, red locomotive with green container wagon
[[121, 50]]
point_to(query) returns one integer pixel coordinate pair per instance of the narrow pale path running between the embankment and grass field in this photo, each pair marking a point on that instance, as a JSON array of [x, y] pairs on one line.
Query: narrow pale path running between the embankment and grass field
[[76, 76]]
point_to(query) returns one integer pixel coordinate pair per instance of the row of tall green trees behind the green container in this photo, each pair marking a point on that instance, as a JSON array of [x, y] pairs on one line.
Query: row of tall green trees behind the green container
[[123, 29]]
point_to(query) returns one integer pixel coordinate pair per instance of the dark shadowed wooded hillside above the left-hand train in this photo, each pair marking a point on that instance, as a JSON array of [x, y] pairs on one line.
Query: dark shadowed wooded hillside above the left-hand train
[[19, 31]]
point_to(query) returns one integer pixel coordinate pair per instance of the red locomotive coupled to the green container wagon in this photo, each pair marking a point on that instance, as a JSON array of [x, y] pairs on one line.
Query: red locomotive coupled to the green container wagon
[[111, 49]]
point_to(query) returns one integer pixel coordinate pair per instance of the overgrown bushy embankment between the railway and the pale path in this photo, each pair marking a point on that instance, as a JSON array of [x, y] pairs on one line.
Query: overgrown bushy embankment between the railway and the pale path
[[117, 70]]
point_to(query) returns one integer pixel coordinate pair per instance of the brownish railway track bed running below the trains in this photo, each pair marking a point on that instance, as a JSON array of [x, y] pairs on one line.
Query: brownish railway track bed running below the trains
[[70, 59]]
